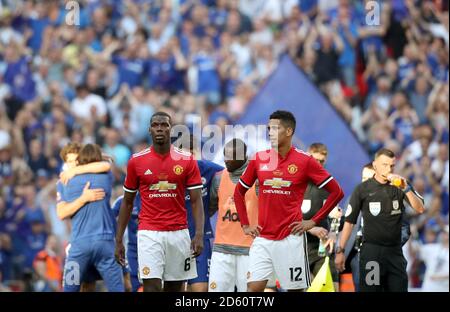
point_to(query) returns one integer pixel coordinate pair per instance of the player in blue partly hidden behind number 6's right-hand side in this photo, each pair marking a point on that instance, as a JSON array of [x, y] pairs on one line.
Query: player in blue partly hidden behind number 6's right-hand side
[[208, 170]]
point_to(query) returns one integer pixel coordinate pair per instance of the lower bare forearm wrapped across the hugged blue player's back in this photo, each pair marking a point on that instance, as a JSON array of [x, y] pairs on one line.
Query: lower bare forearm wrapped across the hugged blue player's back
[[66, 209]]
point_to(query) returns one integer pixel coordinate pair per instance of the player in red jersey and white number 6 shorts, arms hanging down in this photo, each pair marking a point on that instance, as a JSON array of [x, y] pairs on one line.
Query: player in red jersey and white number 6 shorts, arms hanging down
[[161, 174]]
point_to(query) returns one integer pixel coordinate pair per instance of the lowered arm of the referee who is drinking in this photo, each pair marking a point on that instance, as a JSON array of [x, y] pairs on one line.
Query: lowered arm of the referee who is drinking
[[351, 217]]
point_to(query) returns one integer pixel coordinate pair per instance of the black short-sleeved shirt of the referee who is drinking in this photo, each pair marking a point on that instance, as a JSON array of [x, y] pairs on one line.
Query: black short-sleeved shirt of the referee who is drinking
[[382, 208]]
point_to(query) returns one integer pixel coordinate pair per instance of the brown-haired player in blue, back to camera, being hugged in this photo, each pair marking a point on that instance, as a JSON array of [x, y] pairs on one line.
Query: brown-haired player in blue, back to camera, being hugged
[[93, 229]]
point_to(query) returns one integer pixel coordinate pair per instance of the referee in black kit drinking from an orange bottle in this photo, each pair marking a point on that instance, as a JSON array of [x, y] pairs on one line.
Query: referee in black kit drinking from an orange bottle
[[382, 265]]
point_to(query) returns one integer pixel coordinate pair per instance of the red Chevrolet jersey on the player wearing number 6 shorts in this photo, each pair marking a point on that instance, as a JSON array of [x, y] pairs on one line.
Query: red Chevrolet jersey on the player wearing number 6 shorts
[[162, 181]]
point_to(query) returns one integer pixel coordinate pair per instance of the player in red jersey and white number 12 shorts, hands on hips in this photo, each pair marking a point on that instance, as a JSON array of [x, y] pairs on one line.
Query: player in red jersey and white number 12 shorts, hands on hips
[[279, 248]]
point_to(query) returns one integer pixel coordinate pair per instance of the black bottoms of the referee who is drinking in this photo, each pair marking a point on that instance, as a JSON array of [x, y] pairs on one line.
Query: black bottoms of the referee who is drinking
[[382, 269]]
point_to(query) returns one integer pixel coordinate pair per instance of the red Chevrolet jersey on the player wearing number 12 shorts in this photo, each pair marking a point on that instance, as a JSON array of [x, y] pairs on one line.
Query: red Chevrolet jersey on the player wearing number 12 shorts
[[282, 184]]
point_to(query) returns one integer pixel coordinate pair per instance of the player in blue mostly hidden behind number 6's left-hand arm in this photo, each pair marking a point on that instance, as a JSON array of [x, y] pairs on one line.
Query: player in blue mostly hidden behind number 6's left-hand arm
[[132, 239]]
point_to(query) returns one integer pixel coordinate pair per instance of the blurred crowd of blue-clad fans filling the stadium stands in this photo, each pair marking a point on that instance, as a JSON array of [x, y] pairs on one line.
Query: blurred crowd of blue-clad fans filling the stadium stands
[[101, 80]]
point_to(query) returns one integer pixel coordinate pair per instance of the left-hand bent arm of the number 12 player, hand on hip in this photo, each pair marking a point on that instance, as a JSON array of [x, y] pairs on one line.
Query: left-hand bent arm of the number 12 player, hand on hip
[[245, 183]]
